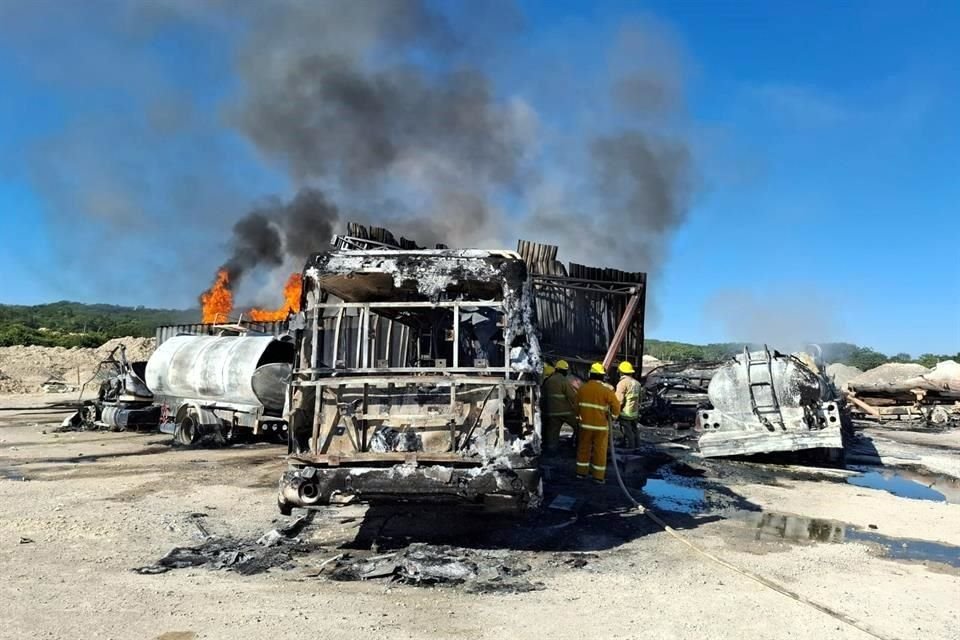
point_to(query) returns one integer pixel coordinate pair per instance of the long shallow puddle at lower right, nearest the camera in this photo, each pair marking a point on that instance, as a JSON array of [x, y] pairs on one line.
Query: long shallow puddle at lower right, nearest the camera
[[772, 527]]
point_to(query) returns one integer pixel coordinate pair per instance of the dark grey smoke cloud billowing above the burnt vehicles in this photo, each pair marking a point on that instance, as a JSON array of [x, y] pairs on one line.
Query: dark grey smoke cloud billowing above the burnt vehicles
[[388, 113]]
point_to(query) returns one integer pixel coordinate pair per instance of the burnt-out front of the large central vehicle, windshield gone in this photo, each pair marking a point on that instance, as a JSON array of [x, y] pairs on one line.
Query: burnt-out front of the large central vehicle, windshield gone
[[416, 377]]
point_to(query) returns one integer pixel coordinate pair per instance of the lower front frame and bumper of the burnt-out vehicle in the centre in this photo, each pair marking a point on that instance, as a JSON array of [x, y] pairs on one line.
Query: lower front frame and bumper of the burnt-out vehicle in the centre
[[317, 478]]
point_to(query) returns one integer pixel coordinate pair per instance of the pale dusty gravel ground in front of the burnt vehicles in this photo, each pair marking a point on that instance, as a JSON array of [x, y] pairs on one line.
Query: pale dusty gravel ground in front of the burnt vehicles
[[96, 505]]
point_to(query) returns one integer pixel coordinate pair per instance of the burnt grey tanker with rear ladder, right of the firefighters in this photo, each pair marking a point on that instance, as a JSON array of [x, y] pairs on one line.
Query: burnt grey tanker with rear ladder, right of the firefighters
[[764, 401]]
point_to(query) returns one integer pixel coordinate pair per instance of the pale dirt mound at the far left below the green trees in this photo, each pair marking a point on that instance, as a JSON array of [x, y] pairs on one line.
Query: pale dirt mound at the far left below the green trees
[[25, 369]]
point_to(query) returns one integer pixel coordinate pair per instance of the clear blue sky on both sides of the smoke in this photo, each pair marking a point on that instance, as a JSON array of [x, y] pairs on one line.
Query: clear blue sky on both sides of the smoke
[[826, 136]]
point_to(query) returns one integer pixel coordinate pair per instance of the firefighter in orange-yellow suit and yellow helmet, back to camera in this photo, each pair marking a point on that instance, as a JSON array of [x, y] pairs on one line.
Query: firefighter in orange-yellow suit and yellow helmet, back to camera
[[598, 405]]
